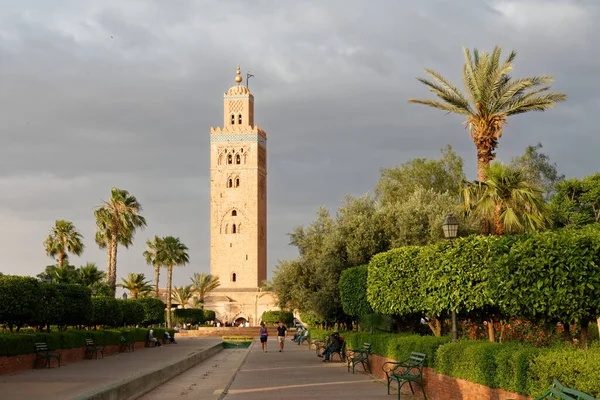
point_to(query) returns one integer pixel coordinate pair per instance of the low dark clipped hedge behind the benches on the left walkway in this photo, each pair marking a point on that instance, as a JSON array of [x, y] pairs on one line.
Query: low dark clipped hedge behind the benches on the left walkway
[[24, 343]]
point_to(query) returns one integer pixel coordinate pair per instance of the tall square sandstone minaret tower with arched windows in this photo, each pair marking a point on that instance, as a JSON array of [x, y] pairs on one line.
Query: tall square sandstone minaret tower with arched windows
[[238, 194]]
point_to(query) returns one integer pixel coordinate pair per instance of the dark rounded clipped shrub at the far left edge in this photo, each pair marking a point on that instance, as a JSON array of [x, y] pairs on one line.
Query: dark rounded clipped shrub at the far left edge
[[19, 300]]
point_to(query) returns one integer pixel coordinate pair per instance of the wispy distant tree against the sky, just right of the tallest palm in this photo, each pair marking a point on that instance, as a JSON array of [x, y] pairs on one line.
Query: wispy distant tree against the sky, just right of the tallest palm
[[538, 169]]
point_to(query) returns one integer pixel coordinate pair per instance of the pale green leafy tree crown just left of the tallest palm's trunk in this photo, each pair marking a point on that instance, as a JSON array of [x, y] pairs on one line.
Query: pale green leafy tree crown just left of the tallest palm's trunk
[[440, 176]]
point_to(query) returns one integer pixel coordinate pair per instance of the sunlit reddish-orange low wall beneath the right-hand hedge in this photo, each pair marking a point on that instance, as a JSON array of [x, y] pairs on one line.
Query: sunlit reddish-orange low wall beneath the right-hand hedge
[[441, 387]]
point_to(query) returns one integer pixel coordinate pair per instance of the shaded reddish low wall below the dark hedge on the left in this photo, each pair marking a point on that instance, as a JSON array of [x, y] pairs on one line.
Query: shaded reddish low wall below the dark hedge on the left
[[24, 362]]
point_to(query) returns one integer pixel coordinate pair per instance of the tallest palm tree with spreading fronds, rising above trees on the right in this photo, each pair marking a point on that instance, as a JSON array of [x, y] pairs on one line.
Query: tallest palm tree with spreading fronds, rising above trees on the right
[[492, 96]]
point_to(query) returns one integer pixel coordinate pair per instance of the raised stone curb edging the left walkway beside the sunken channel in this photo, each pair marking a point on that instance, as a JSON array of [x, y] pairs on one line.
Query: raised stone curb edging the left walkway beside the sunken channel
[[133, 388]]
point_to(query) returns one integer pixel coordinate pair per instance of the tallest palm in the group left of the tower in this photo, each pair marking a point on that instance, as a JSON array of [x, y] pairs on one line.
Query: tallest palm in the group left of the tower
[[117, 220]]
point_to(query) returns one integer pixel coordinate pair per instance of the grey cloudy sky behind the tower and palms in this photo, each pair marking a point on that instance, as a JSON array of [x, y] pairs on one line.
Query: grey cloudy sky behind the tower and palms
[[96, 94]]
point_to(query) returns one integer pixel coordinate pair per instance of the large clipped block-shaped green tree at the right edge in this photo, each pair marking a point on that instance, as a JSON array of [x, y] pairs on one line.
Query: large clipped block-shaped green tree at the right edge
[[553, 275]]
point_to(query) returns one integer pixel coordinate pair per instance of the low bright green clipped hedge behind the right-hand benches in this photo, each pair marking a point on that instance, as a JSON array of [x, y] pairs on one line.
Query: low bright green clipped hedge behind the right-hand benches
[[514, 367]]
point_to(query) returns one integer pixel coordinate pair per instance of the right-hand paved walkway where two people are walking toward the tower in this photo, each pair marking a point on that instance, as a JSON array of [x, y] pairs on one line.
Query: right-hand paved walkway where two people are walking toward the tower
[[297, 373]]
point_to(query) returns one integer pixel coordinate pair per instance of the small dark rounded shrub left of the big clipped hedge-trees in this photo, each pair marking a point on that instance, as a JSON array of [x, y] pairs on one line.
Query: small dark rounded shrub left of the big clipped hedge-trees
[[353, 291]]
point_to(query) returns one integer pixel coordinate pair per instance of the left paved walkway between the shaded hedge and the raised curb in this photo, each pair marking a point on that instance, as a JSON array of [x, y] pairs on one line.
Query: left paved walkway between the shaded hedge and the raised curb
[[79, 378]]
